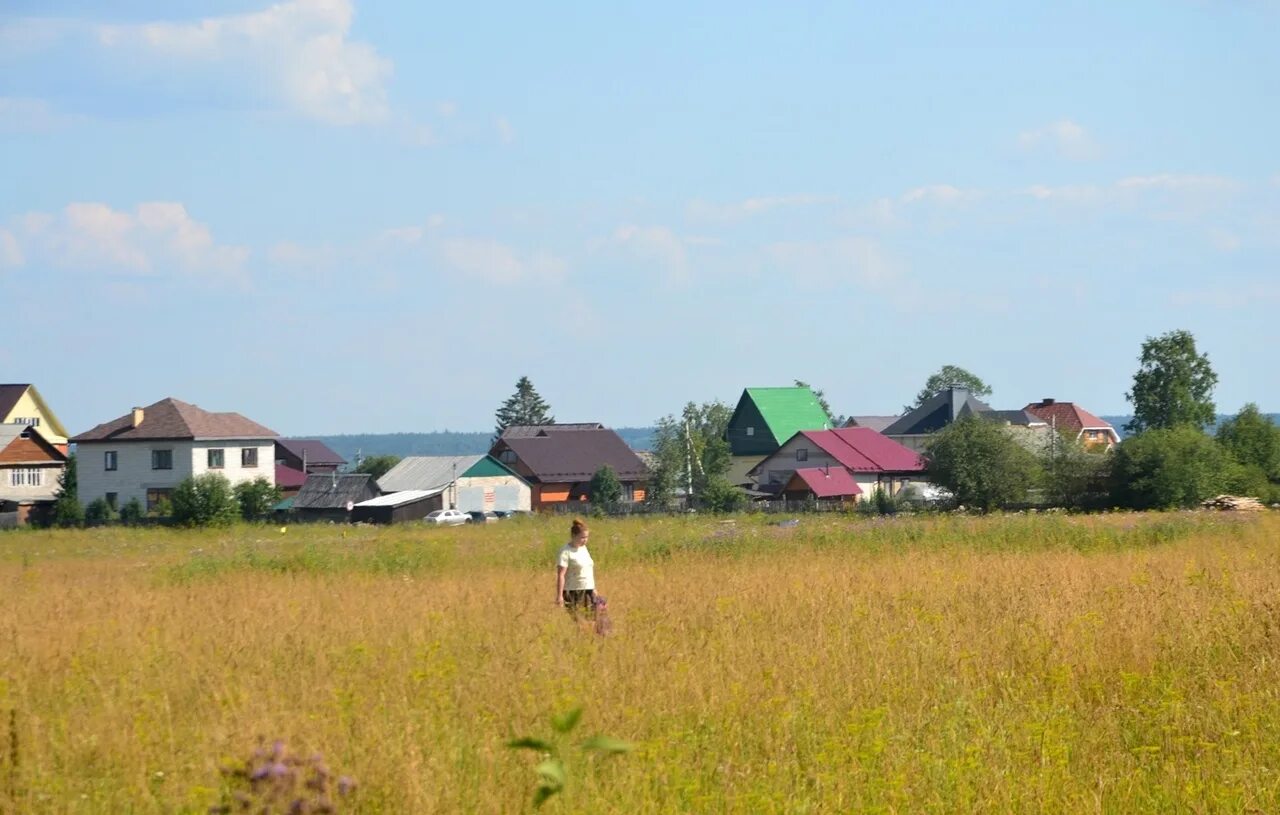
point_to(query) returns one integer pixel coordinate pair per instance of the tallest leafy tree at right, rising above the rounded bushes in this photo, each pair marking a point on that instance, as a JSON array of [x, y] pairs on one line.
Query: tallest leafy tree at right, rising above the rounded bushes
[[1174, 384]]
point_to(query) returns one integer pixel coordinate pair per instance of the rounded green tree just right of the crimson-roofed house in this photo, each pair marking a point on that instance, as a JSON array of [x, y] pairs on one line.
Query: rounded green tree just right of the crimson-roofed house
[[981, 464]]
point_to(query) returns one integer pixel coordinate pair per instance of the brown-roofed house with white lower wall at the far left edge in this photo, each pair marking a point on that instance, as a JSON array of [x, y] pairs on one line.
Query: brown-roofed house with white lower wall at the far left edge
[[30, 470]]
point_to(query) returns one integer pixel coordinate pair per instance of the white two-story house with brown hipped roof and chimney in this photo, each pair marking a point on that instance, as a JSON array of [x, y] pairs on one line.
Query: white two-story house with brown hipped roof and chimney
[[148, 452]]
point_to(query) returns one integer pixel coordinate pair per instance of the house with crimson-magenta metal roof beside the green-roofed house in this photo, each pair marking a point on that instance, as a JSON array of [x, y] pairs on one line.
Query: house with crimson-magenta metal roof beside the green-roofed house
[[849, 464]]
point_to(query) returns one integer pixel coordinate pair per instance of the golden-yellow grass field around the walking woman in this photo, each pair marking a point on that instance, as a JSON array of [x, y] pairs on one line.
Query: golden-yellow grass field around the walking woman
[[1023, 663]]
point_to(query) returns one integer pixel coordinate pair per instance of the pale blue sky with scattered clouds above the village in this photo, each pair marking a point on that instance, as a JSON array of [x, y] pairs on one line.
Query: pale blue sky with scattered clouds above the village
[[354, 217]]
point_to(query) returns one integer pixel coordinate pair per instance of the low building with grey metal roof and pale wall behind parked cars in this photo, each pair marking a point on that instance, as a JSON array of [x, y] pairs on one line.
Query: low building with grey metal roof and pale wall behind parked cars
[[467, 483]]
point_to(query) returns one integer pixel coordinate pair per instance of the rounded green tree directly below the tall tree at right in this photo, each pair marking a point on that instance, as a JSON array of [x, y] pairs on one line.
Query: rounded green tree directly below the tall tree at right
[[1169, 468]]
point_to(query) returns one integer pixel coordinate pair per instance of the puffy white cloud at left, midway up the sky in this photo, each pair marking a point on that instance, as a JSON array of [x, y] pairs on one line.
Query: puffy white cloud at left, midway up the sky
[[154, 239]]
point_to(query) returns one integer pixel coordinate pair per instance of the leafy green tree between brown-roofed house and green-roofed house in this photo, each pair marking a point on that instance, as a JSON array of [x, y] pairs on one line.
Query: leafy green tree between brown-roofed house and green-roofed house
[[691, 448]]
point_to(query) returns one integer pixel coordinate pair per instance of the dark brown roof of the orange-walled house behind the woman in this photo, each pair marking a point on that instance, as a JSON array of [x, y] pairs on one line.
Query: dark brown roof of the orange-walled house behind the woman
[[575, 456]]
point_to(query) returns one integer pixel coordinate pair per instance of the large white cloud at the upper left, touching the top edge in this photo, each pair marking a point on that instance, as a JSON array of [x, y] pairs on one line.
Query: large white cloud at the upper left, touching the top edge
[[300, 52]]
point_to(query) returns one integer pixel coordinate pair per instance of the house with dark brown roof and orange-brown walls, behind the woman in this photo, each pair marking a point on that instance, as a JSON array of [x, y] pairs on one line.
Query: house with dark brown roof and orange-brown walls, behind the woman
[[559, 464]]
